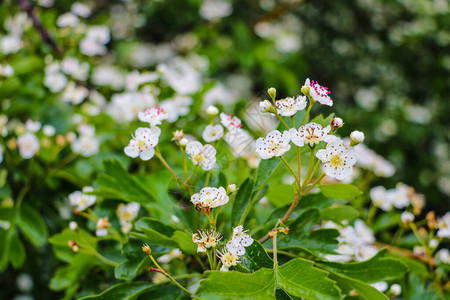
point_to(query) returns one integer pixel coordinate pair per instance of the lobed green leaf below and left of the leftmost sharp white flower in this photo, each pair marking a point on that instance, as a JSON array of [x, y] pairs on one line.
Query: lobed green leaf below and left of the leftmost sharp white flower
[[118, 183]]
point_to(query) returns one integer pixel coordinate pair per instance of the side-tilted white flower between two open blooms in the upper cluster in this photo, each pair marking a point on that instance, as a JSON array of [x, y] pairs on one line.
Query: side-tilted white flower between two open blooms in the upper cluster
[[311, 134]]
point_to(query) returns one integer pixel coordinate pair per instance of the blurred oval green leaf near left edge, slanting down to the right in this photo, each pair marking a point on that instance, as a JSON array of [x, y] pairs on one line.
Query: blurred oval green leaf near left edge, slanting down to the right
[[32, 225]]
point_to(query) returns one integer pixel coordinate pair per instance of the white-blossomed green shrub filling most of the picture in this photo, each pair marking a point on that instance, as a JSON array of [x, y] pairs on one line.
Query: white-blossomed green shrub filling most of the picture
[[213, 196]]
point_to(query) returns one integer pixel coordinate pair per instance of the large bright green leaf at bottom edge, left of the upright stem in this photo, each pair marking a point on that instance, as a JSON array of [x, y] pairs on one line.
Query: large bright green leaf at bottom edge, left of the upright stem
[[236, 285]]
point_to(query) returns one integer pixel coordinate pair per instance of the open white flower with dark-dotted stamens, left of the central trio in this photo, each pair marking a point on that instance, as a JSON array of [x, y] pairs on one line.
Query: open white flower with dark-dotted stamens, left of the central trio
[[274, 144]]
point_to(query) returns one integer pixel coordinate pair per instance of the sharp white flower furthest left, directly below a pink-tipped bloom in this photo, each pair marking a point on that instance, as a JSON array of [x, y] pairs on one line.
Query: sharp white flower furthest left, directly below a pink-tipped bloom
[[143, 143]]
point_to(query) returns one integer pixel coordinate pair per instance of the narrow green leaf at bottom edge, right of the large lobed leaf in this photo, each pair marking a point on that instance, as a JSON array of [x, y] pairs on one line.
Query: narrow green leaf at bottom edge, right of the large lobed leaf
[[364, 290]]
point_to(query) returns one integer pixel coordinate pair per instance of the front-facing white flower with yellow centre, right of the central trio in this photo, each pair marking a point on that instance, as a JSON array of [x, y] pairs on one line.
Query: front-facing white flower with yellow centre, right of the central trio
[[338, 160]]
